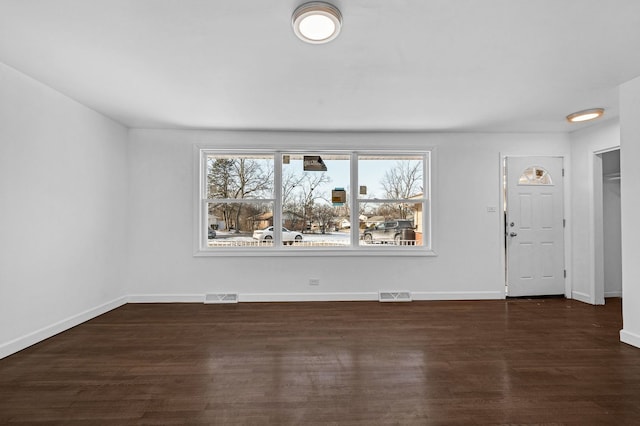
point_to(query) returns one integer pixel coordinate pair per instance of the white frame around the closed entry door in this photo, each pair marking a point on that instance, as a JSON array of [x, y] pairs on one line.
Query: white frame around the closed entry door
[[567, 214]]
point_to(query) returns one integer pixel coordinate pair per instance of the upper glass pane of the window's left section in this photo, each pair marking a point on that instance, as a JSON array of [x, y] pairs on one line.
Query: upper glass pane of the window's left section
[[239, 176]]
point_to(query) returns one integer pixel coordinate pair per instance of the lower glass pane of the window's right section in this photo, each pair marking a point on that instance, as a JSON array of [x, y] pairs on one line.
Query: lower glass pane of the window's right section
[[398, 224]]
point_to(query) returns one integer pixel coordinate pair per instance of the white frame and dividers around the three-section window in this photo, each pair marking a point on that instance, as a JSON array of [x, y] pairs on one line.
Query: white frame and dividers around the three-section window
[[201, 248]]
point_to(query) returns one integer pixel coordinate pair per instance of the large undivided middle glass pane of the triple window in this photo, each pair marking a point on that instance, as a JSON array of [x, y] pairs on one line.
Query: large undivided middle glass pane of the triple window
[[309, 183]]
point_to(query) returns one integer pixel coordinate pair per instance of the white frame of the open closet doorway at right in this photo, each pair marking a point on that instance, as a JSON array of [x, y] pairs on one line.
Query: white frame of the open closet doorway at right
[[597, 224]]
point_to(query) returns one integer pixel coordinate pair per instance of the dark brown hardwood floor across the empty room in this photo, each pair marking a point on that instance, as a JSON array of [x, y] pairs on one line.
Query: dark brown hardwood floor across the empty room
[[522, 361]]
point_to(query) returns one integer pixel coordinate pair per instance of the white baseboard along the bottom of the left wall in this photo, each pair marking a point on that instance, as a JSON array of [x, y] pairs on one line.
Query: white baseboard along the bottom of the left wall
[[24, 342]]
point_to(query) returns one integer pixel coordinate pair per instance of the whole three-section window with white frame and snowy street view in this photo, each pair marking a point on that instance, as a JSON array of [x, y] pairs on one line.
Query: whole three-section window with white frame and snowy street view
[[297, 202]]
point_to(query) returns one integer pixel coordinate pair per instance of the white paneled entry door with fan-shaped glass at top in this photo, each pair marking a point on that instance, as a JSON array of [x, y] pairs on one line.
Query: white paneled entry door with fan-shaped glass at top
[[535, 226]]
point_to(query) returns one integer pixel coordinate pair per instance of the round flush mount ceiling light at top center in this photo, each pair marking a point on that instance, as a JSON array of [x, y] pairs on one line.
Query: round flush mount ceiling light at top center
[[316, 22]]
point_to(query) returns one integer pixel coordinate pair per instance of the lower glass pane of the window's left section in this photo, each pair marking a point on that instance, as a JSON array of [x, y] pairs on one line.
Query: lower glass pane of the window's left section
[[234, 224]]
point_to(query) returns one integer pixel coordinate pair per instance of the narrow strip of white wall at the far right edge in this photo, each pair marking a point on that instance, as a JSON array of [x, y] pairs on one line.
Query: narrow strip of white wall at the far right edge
[[630, 187]]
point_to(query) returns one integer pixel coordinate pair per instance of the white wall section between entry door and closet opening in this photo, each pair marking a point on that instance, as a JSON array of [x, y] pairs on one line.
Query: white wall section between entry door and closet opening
[[584, 146]]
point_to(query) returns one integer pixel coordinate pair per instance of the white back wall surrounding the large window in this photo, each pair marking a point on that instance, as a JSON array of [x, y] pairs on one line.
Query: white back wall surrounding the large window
[[467, 238]]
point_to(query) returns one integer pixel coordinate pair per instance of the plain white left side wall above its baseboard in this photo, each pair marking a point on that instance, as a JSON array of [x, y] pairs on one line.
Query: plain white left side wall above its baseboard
[[63, 179]]
